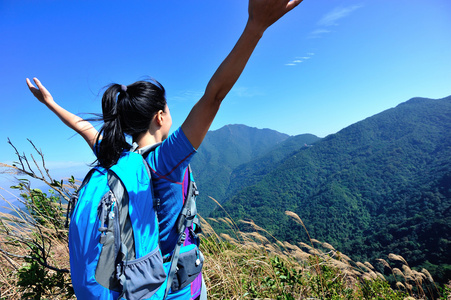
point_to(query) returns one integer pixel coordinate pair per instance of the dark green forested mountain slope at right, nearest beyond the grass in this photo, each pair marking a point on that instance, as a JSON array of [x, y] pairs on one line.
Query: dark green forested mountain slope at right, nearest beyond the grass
[[380, 186]]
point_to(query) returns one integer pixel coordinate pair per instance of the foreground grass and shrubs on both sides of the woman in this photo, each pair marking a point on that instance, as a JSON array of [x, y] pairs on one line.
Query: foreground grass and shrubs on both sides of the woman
[[250, 265]]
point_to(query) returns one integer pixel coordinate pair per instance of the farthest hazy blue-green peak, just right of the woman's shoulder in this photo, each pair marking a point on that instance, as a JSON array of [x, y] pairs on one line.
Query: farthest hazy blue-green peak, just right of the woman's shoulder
[[221, 152]]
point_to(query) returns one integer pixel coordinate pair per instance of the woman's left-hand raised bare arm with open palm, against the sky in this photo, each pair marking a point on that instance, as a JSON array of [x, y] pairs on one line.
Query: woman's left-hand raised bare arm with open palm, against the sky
[[82, 127]]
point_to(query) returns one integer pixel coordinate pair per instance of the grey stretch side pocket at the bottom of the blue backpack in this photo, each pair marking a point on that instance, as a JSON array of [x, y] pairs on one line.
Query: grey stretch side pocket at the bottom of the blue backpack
[[143, 276]]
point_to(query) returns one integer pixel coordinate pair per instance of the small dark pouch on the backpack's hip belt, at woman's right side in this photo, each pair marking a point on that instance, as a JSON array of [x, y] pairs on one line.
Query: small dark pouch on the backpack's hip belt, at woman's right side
[[189, 267]]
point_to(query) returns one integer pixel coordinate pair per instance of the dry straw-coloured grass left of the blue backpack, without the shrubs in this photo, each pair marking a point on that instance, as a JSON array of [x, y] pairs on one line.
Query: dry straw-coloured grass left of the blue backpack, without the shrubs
[[18, 236]]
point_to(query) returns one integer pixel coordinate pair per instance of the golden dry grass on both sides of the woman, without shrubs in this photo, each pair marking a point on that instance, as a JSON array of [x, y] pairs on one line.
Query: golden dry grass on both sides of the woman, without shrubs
[[238, 265]]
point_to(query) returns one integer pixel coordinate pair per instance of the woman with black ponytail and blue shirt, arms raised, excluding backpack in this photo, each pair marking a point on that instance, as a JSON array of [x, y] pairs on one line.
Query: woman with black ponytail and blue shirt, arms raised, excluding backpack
[[140, 111]]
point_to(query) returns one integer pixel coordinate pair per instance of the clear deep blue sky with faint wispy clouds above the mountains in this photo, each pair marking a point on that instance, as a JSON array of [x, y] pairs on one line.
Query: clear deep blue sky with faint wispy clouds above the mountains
[[326, 65]]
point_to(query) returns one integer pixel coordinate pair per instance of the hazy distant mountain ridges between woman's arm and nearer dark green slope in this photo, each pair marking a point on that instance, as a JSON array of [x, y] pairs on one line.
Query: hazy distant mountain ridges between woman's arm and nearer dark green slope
[[232, 153]]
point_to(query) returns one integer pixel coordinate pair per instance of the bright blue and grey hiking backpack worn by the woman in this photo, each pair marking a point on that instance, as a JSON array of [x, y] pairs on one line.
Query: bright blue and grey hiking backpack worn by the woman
[[114, 237]]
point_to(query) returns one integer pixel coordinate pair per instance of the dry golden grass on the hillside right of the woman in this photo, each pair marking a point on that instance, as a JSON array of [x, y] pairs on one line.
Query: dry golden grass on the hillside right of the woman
[[242, 267]]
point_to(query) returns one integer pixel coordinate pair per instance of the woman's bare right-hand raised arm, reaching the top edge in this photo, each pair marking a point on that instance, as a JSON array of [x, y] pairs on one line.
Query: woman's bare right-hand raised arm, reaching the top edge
[[262, 14]]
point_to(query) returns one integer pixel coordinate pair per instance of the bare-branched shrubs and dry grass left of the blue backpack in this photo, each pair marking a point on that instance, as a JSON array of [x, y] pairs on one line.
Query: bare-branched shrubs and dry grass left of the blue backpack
[[33, 240]]
